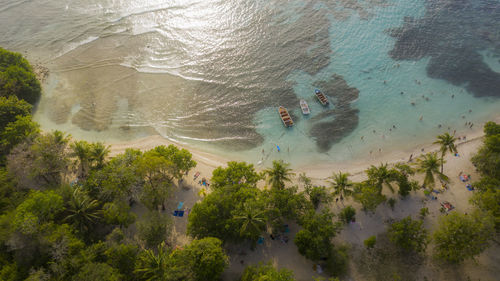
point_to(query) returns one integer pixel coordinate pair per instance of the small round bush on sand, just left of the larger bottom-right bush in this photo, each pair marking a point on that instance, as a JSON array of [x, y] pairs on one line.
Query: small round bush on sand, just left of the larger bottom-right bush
[[409, 235]]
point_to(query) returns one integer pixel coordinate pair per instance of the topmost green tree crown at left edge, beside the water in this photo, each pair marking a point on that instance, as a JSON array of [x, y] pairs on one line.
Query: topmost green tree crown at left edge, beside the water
[[17, 77]]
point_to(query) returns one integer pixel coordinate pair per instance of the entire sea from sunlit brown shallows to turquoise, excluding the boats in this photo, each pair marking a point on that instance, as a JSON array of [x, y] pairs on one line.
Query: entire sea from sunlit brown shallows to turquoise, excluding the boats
[[211, 74]]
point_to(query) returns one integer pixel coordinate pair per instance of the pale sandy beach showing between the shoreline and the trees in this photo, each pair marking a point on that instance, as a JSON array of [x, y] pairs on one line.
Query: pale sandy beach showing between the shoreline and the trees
[[367, 224]]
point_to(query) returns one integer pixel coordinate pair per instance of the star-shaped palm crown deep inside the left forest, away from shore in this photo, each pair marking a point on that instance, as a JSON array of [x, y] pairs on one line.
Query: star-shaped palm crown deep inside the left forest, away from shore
[[83, 211]]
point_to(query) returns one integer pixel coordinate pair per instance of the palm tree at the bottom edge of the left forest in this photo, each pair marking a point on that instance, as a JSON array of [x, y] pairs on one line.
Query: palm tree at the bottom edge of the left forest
[[152, 267]]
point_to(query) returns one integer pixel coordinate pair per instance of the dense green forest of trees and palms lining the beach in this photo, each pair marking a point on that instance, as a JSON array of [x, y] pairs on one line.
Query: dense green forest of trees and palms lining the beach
[[66, 206]]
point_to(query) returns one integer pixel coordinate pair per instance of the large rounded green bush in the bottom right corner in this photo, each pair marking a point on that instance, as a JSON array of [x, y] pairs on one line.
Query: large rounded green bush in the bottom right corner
[[460, 237]]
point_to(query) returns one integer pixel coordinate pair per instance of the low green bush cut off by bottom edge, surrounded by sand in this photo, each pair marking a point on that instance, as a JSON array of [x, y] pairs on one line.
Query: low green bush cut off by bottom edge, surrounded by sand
[[264, 272]]
